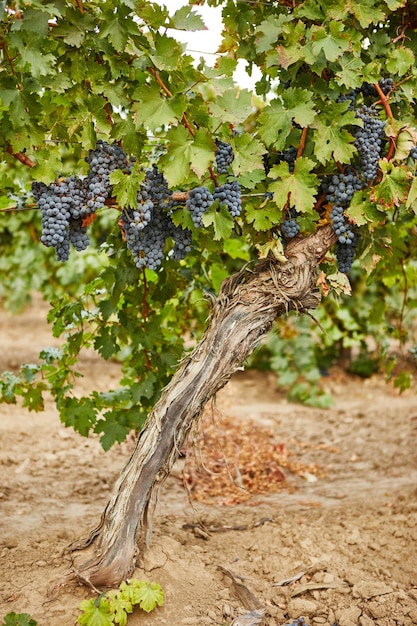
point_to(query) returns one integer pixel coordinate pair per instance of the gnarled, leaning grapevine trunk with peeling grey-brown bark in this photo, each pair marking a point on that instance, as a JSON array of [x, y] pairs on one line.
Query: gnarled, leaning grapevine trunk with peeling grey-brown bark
[[244, 311]]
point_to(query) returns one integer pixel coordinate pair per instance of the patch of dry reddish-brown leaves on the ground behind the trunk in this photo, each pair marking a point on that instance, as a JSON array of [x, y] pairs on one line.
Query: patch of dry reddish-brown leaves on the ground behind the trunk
[[229, 460]]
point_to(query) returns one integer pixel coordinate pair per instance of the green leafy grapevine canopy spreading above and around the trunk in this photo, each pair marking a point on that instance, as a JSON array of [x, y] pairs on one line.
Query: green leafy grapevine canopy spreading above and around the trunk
[[74, 72]]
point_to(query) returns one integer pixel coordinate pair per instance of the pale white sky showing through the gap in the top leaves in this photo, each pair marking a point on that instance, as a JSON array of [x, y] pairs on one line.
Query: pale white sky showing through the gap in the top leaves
[[208, 41]]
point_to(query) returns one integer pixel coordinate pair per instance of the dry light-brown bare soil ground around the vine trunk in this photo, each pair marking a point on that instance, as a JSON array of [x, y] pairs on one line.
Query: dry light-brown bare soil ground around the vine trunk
[[352, 532]]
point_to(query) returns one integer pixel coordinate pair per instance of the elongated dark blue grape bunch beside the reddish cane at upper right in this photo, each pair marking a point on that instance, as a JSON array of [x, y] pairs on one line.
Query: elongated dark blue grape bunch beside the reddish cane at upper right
[[368, 141]]
